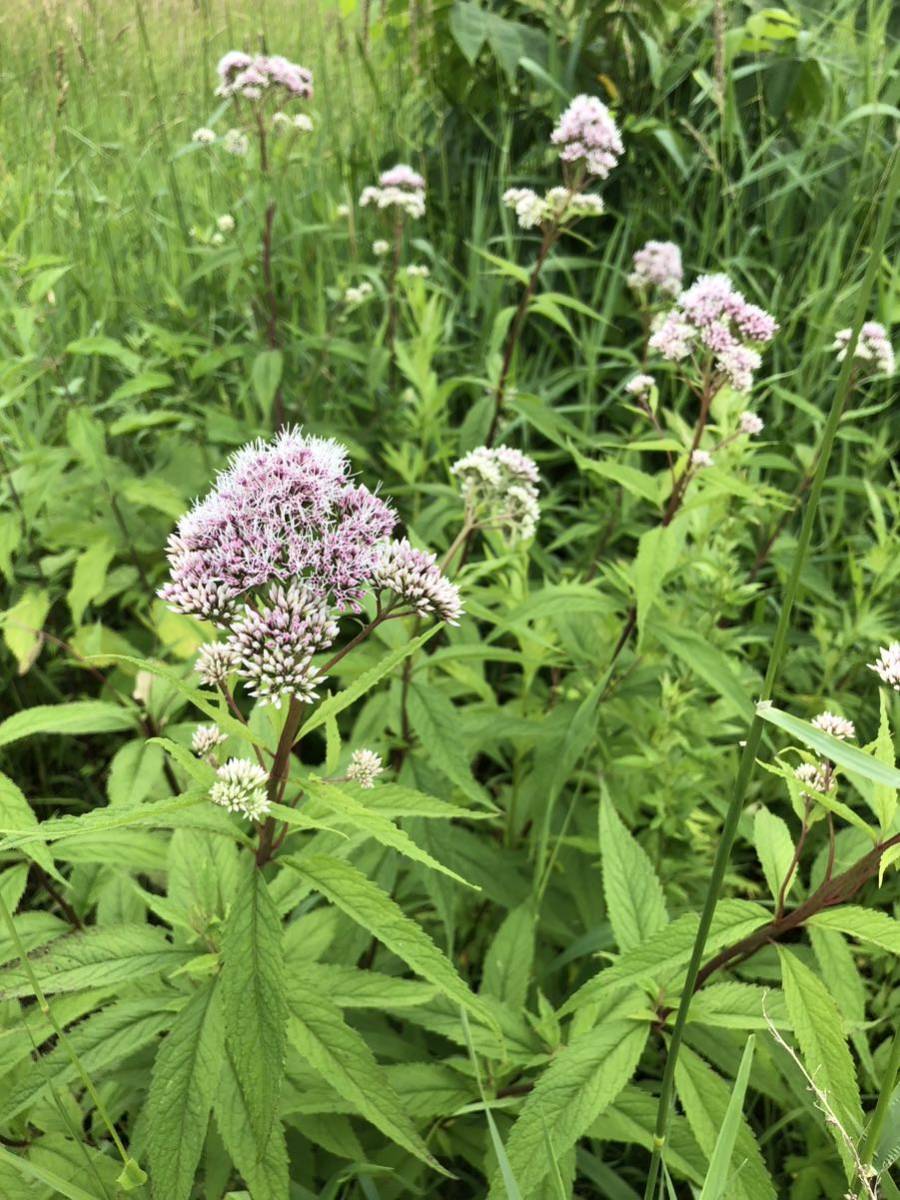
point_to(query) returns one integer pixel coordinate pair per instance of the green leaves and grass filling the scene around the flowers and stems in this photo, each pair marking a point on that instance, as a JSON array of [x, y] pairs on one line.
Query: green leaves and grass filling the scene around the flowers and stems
[[358, 1021]]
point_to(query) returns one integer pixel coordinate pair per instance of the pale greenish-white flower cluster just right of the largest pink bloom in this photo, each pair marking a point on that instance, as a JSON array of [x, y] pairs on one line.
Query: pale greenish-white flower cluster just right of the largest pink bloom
[[502, 484]]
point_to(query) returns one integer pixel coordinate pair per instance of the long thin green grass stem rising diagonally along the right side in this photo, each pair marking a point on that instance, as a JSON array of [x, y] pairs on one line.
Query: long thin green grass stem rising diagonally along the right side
[[754, 736]]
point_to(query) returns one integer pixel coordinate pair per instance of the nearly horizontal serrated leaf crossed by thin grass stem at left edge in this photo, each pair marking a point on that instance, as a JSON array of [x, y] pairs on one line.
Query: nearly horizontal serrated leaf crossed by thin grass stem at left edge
[[97, 958]]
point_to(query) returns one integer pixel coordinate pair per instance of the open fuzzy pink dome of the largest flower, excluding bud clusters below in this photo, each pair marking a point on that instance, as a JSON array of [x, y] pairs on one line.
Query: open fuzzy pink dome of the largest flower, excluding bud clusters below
[[281, 512]]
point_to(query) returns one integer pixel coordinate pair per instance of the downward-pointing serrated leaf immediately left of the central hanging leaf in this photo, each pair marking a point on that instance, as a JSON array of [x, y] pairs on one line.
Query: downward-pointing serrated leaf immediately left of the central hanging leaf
[[182, 1089]]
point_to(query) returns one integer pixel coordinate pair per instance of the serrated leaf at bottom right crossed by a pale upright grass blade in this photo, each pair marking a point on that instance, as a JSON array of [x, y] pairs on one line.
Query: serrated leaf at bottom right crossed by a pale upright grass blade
[[706, 1100]]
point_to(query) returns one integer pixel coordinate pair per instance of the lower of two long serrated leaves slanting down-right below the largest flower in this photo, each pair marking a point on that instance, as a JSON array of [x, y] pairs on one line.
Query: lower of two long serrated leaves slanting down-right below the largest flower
[[341, 1055]]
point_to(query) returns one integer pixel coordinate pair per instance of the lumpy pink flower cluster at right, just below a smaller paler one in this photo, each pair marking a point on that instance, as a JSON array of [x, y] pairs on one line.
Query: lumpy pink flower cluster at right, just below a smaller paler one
[[712, 316]]
